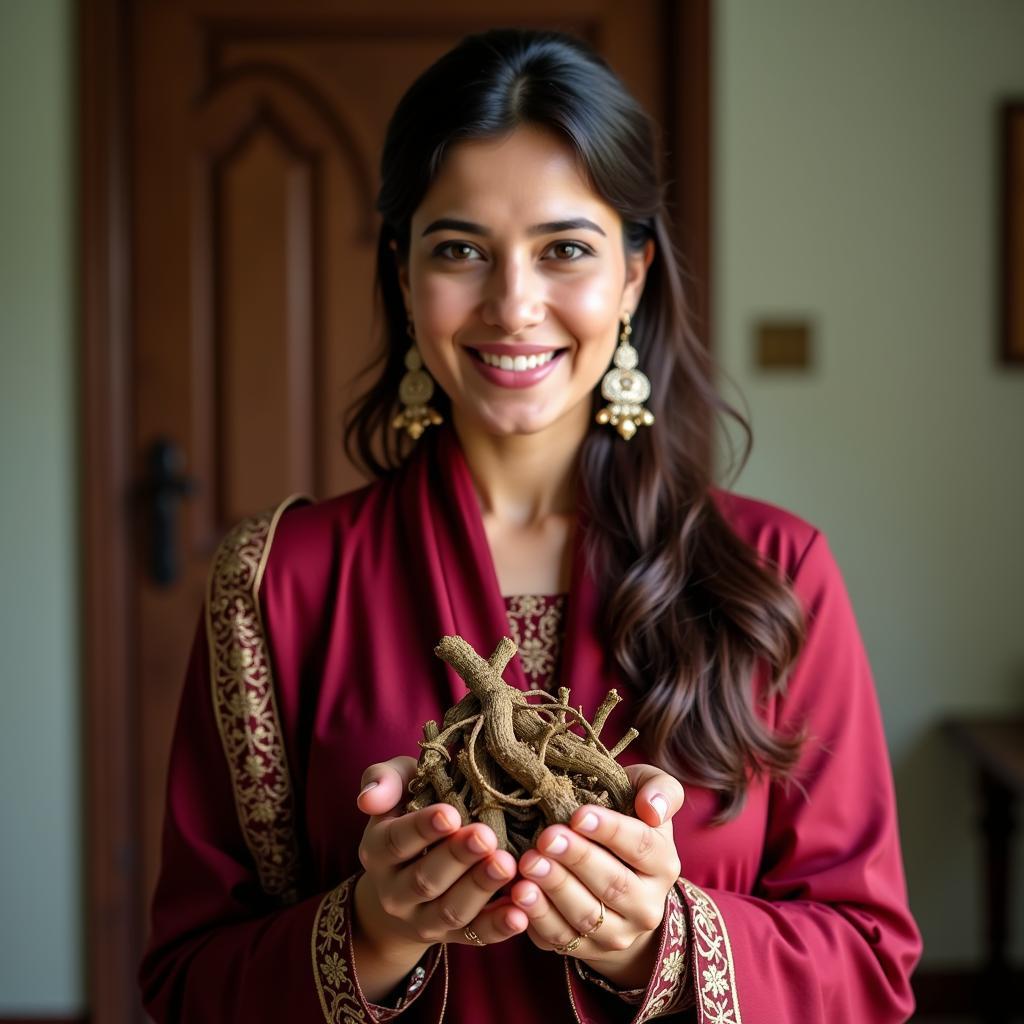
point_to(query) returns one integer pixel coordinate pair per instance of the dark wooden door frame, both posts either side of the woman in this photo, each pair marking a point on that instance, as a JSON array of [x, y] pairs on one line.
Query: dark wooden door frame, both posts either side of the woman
[[108, 529]]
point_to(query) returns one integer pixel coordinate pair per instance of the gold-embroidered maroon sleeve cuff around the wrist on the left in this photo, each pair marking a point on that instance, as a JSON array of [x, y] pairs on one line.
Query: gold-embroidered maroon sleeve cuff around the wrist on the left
[[334, 966]]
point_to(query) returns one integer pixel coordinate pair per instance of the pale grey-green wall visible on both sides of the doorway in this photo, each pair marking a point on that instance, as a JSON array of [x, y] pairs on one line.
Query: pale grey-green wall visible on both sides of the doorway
[[856, 188]]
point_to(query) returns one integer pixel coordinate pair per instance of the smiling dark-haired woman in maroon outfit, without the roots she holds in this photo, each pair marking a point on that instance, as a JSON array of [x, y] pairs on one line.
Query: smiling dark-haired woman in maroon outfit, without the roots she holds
[[545, 473]]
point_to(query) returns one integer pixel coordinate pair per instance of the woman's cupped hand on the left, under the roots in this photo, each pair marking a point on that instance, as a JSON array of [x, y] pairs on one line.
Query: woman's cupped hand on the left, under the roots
[[428, 879]]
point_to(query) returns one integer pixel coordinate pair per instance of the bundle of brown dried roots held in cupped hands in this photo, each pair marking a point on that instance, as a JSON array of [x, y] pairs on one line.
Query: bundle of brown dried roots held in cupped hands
[[516, 765]]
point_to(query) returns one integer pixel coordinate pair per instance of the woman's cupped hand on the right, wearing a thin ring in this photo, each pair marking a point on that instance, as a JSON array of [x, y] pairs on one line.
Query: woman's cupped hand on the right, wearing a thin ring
[[604, 858]]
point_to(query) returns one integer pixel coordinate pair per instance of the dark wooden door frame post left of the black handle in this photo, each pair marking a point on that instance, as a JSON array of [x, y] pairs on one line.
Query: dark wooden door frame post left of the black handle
[[109, 707]]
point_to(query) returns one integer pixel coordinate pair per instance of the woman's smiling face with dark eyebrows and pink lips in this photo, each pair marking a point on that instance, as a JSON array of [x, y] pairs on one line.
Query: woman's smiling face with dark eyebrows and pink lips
[[517, 283]]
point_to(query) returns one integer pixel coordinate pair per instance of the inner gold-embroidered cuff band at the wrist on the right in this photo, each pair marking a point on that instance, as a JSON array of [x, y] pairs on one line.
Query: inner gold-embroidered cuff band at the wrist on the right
[[667, 993]]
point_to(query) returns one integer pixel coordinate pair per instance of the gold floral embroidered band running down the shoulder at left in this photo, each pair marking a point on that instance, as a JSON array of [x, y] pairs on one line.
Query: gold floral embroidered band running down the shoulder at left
[[244, 704]]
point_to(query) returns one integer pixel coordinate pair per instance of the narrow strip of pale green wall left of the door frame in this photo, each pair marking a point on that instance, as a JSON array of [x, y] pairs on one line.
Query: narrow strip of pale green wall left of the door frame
[[41, 950]]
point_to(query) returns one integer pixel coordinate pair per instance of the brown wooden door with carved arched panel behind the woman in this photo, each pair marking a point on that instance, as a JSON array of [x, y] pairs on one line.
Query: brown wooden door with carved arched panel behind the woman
[[254, 132]]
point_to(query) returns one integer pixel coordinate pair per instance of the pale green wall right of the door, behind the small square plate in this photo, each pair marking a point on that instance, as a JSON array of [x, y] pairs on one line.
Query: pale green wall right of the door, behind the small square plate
[[856, 184]]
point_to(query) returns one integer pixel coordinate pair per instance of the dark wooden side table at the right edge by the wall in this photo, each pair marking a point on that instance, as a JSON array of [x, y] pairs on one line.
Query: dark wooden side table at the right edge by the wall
[[996, 747]]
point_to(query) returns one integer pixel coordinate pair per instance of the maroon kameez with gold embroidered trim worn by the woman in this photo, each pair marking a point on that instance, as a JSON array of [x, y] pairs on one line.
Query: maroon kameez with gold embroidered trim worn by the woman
[[315, 660]]
